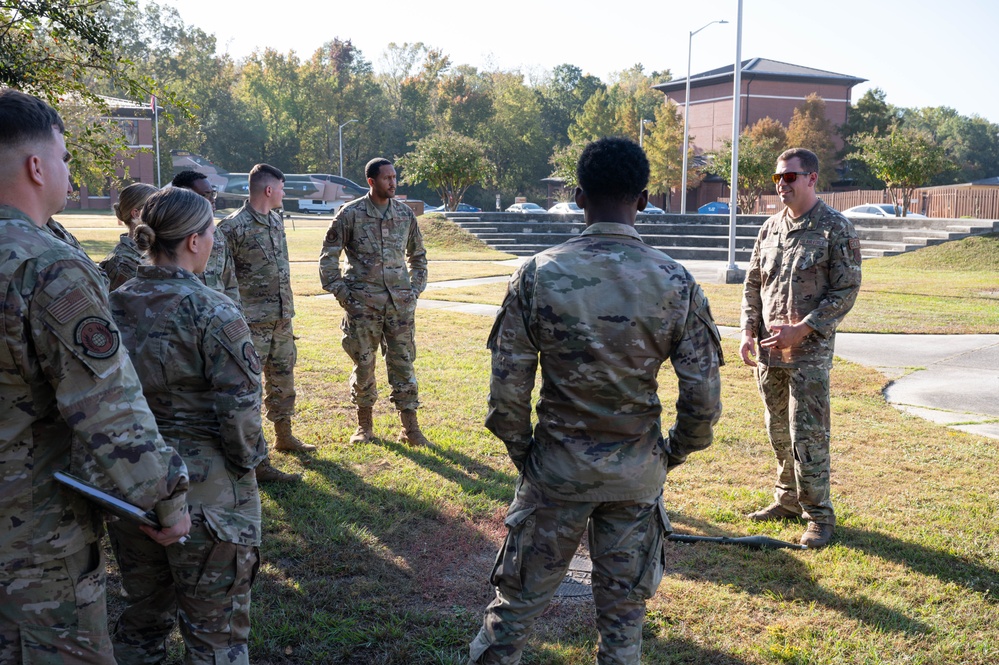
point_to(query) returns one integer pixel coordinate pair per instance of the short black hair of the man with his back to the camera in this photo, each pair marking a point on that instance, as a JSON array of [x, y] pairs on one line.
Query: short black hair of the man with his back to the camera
[[613, 169]]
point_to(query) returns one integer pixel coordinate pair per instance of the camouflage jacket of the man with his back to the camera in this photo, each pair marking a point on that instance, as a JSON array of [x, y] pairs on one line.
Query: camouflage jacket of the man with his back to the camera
[[603, 311]]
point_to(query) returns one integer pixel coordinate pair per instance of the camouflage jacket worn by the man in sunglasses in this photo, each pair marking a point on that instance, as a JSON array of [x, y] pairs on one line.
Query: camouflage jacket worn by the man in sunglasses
[[805, 269]]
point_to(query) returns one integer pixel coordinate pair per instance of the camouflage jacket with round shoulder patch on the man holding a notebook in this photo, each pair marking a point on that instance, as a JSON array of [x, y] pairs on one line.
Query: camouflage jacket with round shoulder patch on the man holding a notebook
[[69, 401]]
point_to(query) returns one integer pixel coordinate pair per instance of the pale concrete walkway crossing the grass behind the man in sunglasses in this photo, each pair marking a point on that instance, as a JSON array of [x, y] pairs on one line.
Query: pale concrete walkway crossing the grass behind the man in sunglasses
[[949, 379]]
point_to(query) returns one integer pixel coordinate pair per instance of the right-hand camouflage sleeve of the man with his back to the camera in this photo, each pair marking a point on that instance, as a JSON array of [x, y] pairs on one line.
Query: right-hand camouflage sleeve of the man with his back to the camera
[[696, 360]]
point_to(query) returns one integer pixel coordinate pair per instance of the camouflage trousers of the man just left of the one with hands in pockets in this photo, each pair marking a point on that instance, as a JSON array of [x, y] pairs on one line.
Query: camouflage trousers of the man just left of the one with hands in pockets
[[275, 344]]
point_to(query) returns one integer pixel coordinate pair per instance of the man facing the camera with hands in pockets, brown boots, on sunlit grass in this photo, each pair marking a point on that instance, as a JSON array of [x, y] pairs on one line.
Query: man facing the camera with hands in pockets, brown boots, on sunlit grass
[[378, 294]]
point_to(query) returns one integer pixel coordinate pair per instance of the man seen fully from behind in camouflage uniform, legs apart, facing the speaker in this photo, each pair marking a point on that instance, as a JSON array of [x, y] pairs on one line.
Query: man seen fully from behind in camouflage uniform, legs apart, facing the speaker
[[602, 312]]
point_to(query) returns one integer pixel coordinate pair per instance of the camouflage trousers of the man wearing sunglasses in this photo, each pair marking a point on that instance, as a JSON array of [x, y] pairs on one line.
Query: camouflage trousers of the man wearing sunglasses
[[797, 418]]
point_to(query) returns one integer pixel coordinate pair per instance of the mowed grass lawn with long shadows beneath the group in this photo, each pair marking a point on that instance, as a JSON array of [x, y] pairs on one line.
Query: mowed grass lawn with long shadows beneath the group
[[381, 555]]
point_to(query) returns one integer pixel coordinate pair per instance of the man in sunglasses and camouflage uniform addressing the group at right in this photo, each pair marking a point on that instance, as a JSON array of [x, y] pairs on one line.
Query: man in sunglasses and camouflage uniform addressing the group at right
[[802, 280]]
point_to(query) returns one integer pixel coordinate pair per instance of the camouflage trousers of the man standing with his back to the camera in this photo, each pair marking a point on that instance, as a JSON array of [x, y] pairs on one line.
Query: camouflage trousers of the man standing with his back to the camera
[[626, 540]]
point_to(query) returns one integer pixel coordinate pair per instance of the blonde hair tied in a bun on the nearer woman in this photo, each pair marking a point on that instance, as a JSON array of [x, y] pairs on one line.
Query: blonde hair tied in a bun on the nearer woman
[[169, 216]]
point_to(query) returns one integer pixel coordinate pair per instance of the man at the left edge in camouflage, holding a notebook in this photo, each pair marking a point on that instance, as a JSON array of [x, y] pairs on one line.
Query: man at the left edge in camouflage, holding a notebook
[[69, 401]]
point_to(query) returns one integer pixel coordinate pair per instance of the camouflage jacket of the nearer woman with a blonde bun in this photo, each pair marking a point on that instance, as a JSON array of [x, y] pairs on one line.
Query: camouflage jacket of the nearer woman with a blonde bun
[[201, 376]]
